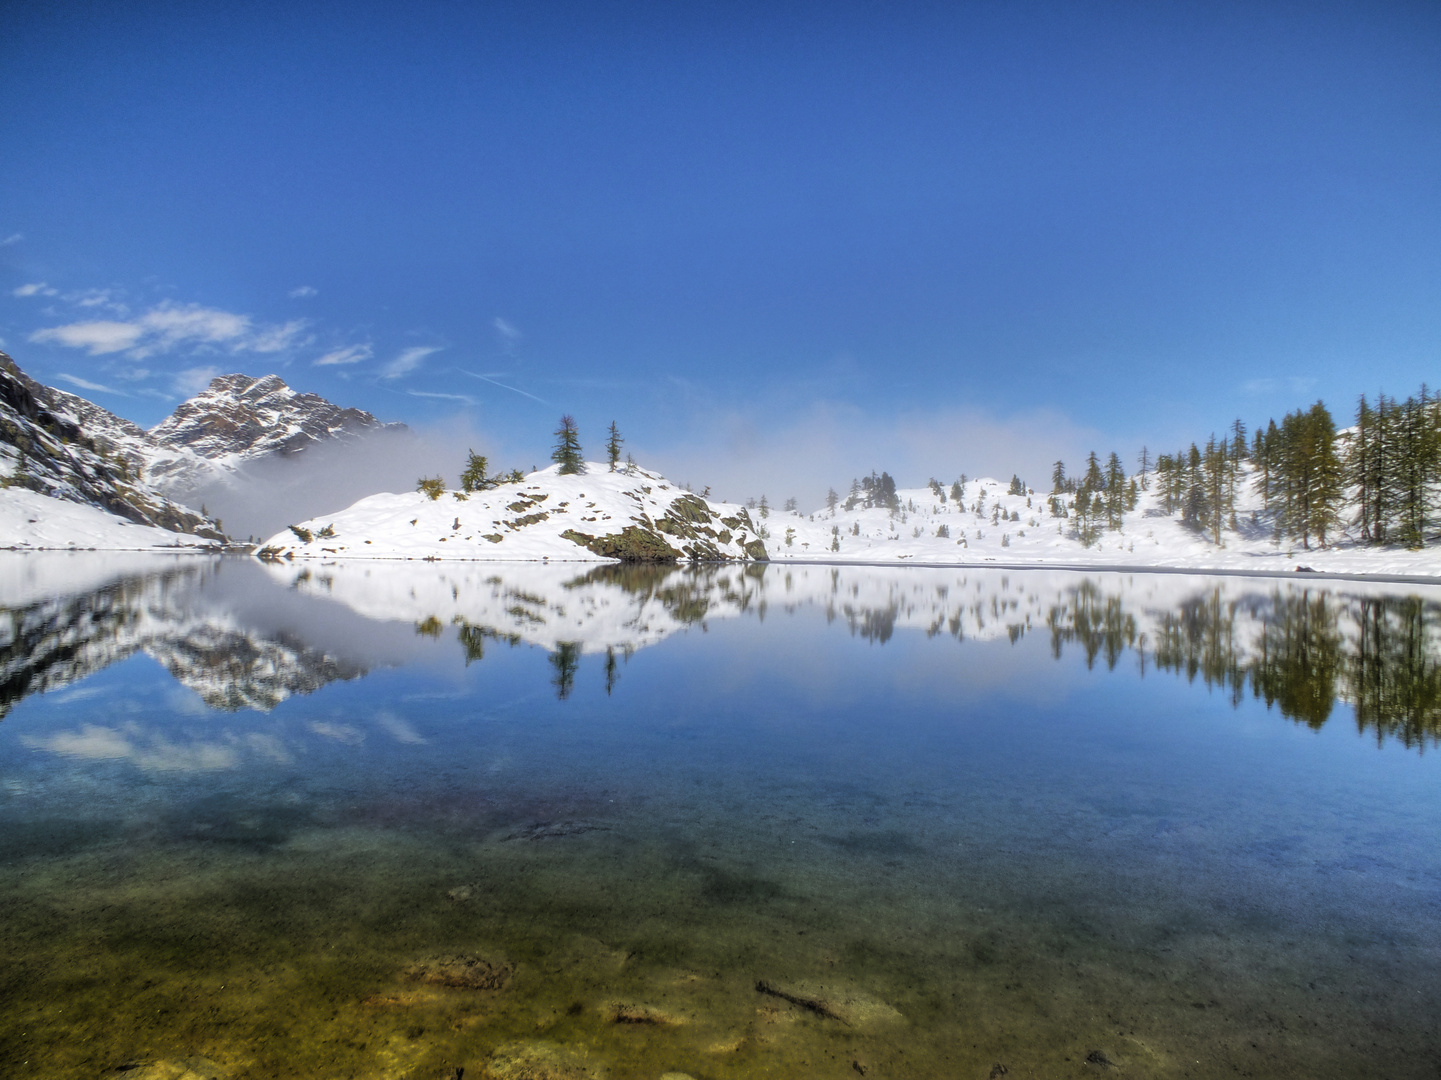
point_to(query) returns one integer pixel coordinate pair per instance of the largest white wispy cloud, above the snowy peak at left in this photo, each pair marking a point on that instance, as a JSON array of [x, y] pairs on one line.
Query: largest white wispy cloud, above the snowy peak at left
[[175, 328]]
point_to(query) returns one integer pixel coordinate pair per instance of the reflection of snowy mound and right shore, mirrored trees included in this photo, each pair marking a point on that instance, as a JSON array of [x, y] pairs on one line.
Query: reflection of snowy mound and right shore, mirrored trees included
[[1302, 647]]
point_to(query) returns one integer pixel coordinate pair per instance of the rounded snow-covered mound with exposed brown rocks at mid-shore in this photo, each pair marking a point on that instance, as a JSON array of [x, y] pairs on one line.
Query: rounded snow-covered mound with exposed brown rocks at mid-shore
[[593, 517]]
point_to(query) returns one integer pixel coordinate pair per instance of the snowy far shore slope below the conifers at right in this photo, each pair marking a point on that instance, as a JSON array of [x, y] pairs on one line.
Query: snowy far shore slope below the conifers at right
[[991, 526]]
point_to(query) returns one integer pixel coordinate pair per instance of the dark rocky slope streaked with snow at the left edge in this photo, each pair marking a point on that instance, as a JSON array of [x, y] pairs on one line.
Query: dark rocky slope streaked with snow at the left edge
[[48, 446]]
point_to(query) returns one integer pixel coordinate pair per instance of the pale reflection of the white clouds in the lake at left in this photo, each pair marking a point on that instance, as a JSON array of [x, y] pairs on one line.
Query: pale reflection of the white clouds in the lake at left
[[155, 753]]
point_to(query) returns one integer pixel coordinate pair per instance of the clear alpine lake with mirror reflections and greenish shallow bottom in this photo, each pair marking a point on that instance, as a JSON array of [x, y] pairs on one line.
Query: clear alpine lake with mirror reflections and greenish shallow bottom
[[543, 823]]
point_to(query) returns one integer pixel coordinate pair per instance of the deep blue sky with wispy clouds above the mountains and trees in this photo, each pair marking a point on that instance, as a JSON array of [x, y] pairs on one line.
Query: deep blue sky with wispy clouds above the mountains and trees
[[780, 244]]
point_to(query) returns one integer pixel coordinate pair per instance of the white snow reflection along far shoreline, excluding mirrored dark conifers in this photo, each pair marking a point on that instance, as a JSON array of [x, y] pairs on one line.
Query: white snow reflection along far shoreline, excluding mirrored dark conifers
[[635, 608]]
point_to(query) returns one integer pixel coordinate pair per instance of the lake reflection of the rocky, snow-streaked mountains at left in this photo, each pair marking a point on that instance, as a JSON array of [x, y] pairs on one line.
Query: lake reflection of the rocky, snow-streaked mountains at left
[[55, 641]]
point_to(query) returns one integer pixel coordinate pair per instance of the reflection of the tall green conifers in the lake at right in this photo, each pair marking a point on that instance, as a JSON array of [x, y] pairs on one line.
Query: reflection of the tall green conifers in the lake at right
[[1301, 660]]
